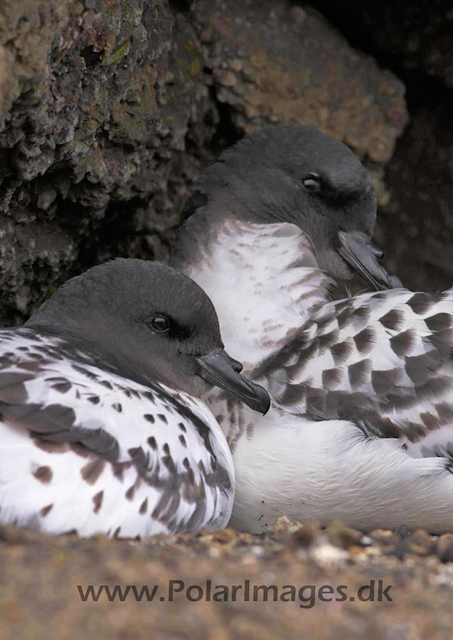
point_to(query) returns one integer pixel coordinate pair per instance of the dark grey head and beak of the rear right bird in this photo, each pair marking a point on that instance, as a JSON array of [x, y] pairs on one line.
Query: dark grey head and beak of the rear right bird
[[293, 173]]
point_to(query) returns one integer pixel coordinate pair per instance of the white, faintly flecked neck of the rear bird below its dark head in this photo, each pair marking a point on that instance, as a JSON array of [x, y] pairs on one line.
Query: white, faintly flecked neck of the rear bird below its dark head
[[263, 279]]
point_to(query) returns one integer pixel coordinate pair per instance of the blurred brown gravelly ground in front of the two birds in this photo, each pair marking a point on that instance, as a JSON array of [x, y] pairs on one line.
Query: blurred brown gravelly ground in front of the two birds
[[39, 596]]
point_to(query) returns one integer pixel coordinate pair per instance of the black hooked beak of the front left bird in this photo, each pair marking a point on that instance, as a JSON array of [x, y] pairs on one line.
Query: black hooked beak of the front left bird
[[219, 369]]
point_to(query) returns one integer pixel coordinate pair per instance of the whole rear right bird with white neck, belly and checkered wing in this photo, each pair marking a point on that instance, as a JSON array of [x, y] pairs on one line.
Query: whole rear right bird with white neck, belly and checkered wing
[[361, 428]]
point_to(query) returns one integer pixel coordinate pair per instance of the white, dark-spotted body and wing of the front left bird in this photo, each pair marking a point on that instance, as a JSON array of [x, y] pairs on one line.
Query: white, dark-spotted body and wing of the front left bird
[[85, 449]]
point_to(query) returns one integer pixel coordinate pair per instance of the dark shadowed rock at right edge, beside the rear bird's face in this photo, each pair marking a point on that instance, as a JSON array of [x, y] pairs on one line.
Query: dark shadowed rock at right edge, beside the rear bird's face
[[416, 225]]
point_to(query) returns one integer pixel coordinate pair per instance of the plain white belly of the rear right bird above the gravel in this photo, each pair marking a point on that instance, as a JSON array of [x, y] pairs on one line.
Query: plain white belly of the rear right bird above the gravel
[[329, 471]]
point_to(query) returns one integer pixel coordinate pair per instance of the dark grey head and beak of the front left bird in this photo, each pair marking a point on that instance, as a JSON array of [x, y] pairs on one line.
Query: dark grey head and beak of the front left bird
[[147, 322]]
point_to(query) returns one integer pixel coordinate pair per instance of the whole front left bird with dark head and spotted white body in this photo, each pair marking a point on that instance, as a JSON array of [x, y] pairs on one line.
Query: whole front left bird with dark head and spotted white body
[[94, 439]]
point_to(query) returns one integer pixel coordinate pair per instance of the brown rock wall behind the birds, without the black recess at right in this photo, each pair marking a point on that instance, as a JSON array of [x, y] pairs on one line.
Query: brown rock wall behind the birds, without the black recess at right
[[108, 109]]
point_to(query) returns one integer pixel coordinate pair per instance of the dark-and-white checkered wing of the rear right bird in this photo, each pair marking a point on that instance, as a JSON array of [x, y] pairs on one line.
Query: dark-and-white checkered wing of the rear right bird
[[382, 360]]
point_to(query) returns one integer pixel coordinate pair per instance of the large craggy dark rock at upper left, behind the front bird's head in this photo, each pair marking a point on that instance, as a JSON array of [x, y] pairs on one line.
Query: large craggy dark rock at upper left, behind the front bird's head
[[96, 103]]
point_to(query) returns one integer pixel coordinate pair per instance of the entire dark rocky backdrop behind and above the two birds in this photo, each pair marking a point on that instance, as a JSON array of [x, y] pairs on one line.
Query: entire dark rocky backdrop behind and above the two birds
[[109, 109]]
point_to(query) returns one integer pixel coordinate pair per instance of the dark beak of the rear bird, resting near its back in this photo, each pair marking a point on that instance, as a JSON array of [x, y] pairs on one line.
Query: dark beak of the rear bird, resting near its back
[[358, 251]]
